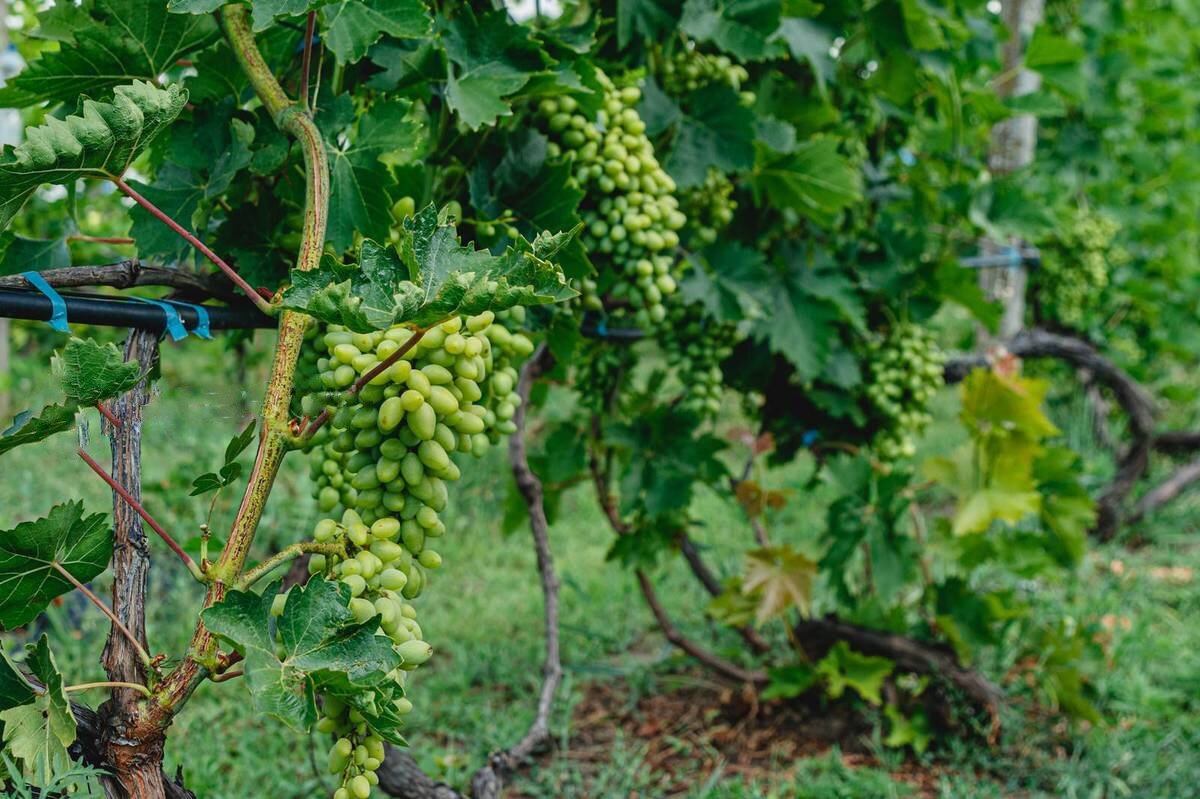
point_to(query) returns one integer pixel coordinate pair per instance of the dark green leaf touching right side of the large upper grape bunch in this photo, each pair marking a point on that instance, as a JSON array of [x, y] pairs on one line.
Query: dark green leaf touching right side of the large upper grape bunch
[[717, 131]]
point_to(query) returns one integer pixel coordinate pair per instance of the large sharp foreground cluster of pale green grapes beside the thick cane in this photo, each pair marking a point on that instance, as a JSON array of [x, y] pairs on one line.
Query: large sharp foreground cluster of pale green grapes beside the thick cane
[[381, 468]]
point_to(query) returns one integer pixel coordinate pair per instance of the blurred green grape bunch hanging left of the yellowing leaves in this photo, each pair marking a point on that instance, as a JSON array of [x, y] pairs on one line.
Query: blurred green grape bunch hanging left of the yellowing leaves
[[905, 374]]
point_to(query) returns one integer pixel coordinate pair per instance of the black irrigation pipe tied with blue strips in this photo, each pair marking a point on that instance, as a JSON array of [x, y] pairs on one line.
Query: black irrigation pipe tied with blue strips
[[119, 313]]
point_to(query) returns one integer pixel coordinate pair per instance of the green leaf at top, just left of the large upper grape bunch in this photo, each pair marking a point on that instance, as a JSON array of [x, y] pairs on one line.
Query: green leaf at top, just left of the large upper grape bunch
[[491, 59]]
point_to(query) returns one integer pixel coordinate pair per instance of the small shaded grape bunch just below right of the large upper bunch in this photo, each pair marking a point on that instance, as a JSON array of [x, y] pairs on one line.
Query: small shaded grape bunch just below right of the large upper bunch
[[695, 346]]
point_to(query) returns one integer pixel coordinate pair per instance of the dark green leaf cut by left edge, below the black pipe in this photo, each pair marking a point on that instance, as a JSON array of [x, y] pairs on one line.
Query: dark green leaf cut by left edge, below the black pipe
[[81, 545]]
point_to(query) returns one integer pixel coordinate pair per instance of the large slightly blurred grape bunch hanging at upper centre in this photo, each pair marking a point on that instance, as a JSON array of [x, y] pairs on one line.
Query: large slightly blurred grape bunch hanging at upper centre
[[631, 213]]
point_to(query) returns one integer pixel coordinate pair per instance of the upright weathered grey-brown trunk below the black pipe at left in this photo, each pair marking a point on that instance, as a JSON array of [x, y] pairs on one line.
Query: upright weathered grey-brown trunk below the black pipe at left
[[131, 749]]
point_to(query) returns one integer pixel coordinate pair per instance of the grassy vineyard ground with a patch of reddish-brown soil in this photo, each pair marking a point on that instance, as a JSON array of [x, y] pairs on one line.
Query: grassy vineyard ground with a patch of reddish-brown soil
[[634, 719]]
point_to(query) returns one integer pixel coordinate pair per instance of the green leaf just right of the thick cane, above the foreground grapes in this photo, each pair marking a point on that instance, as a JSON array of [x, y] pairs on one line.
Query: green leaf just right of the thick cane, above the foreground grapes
[[359, 183]]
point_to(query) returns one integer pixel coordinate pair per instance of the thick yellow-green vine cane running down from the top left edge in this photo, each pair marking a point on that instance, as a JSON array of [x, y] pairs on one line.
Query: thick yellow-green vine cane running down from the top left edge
[[275, 436]]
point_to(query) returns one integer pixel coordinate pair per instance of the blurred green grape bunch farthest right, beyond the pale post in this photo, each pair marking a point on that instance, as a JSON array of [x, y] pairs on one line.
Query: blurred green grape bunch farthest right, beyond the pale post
[[1076, 266]]
